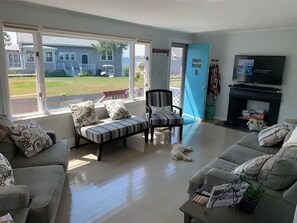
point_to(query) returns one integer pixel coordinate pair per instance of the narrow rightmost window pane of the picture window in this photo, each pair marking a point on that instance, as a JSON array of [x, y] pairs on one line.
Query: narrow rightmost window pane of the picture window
[[140, 71]]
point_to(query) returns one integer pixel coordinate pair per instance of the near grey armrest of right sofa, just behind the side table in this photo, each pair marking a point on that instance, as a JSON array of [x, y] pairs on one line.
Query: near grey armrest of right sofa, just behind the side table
[[215, 177]]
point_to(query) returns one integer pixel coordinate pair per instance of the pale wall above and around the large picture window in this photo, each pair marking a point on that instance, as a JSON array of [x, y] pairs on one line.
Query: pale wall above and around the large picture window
[[60, 19]]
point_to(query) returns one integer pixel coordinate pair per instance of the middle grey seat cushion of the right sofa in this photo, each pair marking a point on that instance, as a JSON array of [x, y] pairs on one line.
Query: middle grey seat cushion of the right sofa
[[240, 154]]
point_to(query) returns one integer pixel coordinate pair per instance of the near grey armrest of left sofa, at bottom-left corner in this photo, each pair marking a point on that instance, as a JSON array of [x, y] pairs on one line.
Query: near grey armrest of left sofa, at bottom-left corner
[[14, 197]]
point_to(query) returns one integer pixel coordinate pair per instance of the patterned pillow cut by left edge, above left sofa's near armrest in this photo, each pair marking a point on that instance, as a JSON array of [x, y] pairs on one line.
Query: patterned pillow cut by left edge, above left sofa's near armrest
[[6, 173]]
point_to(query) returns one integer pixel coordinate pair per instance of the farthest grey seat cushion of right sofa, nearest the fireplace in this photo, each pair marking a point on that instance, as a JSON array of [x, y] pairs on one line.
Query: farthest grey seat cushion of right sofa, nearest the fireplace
[[251, 141]]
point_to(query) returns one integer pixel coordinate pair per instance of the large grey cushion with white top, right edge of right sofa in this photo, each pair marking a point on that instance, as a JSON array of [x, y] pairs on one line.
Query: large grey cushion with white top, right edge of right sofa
[[280, 171]]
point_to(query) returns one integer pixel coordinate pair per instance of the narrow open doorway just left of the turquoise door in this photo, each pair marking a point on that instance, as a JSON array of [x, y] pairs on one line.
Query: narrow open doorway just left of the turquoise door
[[177, 72]]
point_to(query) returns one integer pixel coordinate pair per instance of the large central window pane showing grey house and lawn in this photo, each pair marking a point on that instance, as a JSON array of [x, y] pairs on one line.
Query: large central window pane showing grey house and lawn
[[72, 81]]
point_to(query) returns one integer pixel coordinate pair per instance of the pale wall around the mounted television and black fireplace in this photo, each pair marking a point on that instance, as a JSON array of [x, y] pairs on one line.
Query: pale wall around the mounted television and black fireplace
[[277, 42]]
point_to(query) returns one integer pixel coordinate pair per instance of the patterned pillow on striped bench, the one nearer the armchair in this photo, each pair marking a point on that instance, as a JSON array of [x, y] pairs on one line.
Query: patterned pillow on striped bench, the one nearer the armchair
[[116, 109]]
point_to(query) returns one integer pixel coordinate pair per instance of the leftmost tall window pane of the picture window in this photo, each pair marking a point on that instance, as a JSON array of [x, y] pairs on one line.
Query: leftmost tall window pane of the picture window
[[21, 73]]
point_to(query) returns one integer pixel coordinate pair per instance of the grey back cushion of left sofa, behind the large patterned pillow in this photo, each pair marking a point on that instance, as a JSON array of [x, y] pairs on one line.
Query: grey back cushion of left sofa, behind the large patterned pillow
[[7, 146]]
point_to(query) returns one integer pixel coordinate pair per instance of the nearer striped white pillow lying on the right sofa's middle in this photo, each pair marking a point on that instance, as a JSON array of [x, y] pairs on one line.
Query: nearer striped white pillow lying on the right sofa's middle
[[252, 167]]
